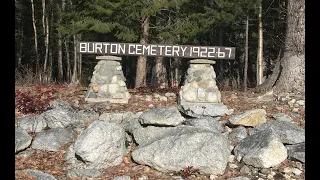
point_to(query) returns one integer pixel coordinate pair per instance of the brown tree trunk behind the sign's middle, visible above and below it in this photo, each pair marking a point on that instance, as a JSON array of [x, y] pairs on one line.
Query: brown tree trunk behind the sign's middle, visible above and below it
[[142, 60]]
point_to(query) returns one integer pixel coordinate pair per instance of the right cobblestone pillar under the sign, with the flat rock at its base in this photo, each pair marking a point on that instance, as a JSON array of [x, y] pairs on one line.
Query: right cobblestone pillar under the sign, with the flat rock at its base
[[200, 96]]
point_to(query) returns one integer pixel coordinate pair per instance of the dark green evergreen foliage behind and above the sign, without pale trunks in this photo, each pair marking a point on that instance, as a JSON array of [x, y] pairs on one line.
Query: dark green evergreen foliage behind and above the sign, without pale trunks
[[183, 22]]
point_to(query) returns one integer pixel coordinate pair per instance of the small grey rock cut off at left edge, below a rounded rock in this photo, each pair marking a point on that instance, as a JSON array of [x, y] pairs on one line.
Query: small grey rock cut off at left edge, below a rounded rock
[[22, 140]]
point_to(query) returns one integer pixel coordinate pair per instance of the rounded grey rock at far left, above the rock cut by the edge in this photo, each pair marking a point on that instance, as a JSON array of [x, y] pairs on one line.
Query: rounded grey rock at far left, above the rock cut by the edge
[[32, 123]]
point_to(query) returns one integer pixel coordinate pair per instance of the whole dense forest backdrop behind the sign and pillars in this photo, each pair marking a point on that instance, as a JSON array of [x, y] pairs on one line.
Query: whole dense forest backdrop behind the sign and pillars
[[46, 33]]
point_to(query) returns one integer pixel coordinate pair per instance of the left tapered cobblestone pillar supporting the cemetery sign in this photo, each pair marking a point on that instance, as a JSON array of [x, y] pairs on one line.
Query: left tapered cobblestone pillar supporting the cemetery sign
[[108, 82]]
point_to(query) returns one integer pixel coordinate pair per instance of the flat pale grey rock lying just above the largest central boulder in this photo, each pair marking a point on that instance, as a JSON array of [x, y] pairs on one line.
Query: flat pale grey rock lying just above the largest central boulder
[[166, 116]]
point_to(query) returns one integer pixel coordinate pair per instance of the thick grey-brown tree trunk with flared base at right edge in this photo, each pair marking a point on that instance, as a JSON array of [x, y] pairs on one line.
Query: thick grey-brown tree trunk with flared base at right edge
[[289, 72]]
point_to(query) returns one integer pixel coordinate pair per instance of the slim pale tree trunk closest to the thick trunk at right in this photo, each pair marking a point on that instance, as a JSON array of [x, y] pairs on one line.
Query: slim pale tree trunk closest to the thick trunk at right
[[260, 47]]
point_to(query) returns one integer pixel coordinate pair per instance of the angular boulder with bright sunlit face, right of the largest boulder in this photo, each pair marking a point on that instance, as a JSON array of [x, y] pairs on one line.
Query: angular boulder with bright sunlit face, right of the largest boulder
[[263, 150]]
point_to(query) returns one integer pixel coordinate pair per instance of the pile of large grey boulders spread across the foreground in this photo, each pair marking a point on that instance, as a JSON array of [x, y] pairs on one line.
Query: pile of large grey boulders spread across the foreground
[[167, 142]]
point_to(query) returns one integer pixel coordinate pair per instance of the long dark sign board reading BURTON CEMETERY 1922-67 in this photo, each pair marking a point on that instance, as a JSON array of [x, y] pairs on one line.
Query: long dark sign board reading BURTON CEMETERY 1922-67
[[134, 49]]
